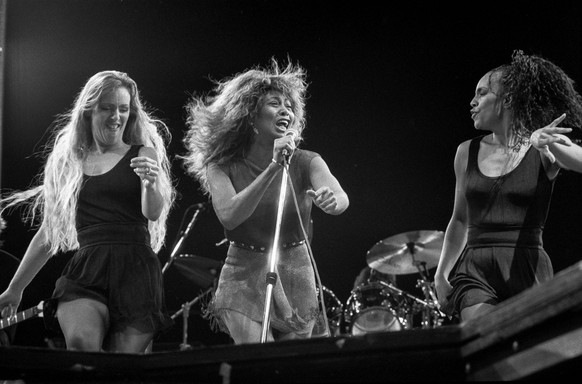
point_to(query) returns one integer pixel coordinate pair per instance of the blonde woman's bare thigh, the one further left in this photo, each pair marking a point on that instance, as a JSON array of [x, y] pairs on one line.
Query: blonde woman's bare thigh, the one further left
[[84, 323]]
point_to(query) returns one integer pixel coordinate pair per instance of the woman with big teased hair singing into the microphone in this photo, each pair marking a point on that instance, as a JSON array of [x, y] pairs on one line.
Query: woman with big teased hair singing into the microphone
[[237, 144]]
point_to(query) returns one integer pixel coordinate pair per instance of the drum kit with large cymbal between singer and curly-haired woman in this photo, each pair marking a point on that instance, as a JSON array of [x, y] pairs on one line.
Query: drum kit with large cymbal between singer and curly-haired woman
[[379, 306]]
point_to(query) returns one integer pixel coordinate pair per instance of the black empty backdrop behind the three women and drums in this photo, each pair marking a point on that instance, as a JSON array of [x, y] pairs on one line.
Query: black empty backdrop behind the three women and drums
[[389, 94]]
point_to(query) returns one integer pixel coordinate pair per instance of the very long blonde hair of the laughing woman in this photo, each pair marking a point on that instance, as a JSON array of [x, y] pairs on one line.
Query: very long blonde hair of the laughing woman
[[53, 201]]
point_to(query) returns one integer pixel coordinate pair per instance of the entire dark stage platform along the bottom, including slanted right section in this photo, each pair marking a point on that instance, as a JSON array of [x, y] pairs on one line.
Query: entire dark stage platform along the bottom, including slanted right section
[[536, 335]]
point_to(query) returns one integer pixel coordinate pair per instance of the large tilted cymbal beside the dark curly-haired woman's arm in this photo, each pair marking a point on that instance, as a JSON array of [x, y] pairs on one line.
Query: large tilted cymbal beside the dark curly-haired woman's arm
[[401, 254]]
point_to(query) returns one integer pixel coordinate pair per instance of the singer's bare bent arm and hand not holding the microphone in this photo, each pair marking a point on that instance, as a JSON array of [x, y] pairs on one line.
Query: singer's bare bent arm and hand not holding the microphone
[[328, 194]]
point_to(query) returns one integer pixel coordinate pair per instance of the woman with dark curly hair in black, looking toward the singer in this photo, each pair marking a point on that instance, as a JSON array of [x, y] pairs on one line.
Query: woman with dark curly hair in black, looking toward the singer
[[493, 245]]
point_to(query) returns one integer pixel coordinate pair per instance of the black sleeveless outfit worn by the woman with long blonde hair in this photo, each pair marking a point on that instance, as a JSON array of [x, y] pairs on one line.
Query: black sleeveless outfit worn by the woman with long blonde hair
[[115, 263]]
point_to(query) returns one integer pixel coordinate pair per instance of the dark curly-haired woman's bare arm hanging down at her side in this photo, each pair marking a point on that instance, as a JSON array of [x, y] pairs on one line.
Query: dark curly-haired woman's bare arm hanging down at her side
[[456, 232]]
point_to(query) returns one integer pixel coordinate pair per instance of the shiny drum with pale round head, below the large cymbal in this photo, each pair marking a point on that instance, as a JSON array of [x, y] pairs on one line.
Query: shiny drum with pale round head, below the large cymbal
[[372, 307]]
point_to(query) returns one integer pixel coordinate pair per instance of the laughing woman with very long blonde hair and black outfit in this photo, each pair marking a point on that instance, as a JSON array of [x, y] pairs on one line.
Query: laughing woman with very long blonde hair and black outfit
[[105, 191]]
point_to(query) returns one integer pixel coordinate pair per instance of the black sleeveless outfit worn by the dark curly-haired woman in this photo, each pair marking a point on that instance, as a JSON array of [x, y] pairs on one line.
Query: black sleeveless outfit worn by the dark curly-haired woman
[[504, 254]]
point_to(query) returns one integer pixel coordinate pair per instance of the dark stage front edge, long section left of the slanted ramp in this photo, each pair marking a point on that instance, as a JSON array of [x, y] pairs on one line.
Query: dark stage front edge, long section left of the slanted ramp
[[417, 355]]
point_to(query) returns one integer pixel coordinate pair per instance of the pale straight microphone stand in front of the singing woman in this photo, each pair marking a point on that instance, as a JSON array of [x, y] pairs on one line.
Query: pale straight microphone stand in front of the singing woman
[[271, 277]]
